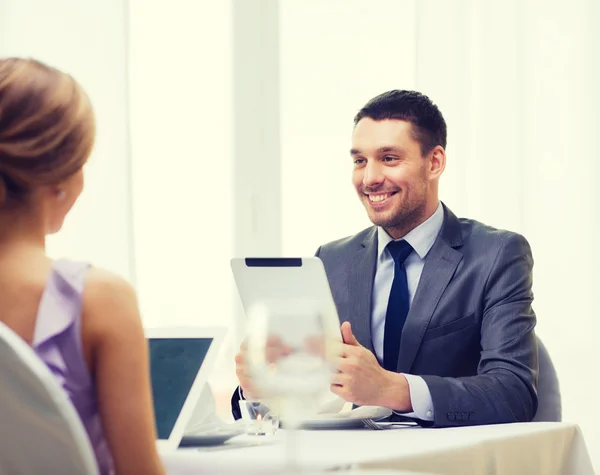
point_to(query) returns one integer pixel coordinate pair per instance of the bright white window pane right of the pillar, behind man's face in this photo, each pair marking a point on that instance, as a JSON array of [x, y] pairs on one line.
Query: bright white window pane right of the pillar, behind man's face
[[328, 71]]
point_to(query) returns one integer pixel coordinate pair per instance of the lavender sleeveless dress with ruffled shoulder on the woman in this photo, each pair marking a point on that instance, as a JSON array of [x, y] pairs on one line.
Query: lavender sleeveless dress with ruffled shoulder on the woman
[[57, 341]]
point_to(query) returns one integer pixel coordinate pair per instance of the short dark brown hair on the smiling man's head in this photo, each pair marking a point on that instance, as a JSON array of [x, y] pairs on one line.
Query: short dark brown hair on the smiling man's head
[[428, 123]]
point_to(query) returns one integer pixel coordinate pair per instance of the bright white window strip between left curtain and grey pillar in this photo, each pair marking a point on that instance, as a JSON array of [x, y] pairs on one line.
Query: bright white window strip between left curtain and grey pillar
[[180, 99]]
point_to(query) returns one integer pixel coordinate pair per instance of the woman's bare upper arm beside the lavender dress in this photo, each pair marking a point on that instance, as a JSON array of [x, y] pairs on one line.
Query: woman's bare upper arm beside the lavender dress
[[117, 353]]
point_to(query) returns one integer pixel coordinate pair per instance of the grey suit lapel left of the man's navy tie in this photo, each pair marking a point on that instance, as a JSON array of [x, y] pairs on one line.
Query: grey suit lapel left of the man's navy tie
[[360, 287]]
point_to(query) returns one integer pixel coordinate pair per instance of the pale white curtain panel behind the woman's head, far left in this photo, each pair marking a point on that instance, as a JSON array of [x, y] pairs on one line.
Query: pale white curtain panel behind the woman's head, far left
[[87, 40]]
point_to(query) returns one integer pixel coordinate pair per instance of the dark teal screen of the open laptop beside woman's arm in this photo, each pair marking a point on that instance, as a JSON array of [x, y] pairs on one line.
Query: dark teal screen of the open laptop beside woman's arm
[[174, 365]]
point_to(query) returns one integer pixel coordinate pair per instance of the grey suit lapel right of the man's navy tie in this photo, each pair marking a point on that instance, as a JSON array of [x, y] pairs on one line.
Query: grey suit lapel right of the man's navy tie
[[440, 264]]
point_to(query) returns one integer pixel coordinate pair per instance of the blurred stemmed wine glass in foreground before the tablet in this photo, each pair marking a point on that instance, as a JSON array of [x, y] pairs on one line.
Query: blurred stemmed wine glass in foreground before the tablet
[[290, 354]]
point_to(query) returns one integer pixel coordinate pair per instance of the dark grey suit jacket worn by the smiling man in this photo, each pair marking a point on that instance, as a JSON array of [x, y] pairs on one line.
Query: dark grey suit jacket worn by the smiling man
[[470, 329]]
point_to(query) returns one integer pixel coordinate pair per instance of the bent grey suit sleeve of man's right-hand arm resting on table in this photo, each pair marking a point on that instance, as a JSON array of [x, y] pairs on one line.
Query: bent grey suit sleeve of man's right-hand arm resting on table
[[504, 389]]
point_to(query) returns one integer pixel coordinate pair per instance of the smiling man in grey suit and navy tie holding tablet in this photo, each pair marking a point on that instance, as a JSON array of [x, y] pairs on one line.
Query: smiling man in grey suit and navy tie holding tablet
[[438, 324]]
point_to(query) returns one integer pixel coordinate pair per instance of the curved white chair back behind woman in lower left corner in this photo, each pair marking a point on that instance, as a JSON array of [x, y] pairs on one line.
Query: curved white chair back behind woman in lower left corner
[[40, 430]]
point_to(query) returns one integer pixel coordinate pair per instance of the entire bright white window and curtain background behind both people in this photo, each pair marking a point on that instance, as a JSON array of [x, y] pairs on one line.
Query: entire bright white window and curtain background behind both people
[[224, 129]]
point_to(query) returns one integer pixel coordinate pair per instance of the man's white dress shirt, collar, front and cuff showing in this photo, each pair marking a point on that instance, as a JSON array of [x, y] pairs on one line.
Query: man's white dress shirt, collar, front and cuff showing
[[421, 239]]
